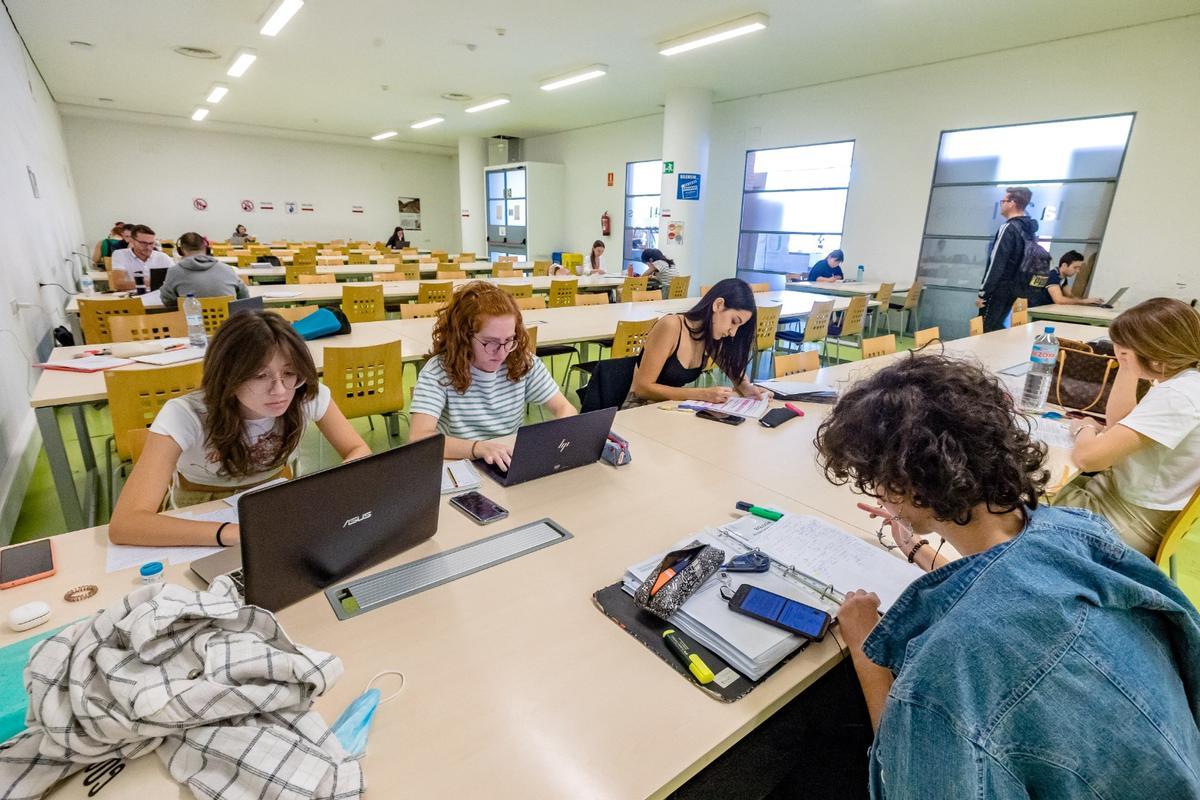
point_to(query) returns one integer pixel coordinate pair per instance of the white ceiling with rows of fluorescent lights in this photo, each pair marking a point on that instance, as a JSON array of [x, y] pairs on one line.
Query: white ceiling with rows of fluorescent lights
[[326, 73]]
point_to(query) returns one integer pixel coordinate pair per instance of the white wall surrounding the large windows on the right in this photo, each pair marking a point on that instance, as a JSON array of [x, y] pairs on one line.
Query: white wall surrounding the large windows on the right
[[896, 121]]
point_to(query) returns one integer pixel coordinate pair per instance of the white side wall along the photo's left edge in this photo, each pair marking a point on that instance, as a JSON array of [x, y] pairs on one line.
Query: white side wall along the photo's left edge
[[40, 236]]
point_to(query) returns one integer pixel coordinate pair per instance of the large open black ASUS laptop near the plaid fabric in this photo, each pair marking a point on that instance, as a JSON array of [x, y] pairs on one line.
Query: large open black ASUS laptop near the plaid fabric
[[303, 536]]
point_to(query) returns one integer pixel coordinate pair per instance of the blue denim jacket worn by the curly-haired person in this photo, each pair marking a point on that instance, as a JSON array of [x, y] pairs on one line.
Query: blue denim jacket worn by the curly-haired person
[[1058, 665]]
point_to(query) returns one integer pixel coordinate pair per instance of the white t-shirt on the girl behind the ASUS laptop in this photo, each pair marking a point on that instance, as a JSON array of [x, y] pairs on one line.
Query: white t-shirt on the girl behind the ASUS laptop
[[183, 420]]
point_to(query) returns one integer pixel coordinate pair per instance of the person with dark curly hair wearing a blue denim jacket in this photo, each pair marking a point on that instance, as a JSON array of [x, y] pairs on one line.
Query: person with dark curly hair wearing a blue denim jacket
[[1051, 660]]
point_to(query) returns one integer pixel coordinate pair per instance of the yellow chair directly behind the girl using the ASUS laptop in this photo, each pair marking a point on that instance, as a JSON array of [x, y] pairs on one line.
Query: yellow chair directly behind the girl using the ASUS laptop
[[135, 398]]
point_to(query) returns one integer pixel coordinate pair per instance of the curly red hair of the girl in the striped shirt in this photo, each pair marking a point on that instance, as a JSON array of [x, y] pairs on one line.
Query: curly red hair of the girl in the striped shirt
[[461, 320]]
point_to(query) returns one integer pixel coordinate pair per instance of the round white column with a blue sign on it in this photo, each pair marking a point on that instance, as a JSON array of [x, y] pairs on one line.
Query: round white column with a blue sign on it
[[686, 146]]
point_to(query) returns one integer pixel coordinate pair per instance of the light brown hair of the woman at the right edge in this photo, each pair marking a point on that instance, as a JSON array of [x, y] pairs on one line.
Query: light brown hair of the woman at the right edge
[[1161, 332]]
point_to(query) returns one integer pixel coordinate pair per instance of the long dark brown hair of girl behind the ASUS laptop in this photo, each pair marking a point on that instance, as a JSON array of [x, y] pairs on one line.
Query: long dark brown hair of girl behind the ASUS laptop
[[243, 345]]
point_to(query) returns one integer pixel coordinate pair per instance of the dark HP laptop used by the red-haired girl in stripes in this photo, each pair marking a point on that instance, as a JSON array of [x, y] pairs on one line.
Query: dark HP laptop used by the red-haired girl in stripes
[[554, 447]]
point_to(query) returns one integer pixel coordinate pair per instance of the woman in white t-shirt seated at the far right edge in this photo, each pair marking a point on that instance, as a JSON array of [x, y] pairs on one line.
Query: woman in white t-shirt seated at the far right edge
[[1149, 454]]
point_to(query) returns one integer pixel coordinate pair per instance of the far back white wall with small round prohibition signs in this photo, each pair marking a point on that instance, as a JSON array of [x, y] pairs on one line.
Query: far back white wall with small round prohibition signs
[[146, 173]]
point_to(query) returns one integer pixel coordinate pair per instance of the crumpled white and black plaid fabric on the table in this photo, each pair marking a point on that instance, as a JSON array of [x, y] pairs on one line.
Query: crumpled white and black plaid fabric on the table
[[214, 687]]
